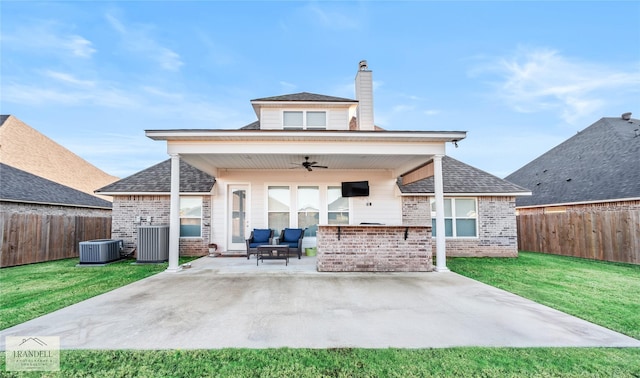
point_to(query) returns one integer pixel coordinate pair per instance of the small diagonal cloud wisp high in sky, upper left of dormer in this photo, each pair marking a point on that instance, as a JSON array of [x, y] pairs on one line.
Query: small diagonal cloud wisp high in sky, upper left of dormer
[[137, 39]]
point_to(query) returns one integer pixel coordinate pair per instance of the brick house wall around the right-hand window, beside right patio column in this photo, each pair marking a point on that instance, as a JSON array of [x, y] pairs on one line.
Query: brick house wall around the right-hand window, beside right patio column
[[497, 228]]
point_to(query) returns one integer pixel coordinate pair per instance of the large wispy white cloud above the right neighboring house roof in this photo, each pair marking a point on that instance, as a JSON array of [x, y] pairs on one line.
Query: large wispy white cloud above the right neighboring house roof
[[541, 79]]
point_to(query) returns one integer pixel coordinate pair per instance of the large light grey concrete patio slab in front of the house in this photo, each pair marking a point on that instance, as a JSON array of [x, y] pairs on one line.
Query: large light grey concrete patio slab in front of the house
[[231, 302]]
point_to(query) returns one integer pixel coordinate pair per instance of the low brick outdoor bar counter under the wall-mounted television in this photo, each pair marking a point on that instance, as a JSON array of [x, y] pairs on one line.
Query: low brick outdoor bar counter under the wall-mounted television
[[374, 249]]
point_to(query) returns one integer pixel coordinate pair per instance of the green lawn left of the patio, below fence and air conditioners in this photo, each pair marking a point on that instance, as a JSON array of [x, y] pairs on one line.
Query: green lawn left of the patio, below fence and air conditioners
[[29, 291]]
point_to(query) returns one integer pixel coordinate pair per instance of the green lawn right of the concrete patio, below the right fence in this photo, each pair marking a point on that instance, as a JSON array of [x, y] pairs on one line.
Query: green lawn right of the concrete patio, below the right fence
[[604, 293]]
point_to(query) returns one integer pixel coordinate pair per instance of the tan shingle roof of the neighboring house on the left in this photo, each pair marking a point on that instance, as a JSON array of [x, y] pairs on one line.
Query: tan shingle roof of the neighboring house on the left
[[25, 148]]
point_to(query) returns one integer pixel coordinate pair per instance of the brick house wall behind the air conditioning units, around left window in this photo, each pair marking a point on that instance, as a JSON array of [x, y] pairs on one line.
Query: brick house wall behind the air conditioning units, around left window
[[126, 209]]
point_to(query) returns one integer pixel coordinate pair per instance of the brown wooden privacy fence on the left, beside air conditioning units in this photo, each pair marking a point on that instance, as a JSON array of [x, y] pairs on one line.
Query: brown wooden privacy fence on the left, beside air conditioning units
[[31, 238]]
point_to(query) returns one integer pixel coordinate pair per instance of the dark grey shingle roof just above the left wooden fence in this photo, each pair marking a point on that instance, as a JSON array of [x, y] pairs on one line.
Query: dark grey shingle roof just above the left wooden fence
[[20, 186]]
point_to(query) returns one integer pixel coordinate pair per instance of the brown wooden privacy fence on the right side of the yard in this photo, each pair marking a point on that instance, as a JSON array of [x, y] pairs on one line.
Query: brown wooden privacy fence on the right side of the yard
[[604, 235]]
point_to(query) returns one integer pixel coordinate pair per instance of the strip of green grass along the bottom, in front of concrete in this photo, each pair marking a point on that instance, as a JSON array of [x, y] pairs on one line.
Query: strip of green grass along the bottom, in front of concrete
[[284, 362]]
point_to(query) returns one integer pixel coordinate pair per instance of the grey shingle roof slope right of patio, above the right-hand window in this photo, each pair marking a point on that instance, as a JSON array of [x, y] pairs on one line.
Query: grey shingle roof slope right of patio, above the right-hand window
[[460, 178]]
